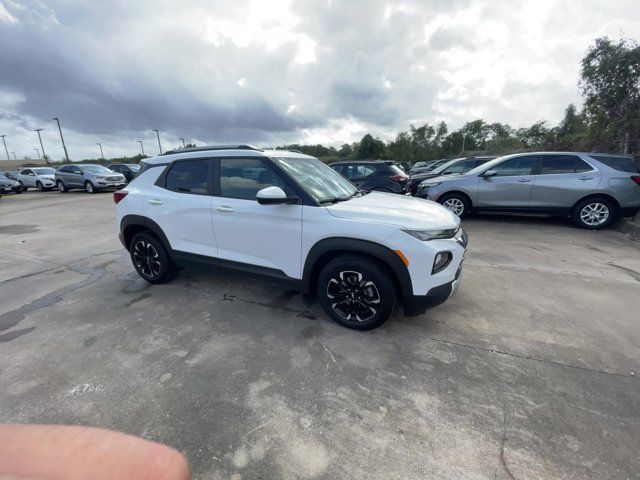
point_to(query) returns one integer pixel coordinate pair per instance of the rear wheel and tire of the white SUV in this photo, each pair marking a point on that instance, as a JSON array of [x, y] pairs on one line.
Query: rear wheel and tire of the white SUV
[[150, 259]]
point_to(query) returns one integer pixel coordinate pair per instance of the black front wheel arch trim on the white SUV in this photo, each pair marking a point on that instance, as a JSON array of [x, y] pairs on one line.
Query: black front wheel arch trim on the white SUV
[[352, 245]]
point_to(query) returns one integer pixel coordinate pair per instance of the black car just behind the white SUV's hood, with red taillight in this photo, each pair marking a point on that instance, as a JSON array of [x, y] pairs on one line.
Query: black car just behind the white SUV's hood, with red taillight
[[379, 175]]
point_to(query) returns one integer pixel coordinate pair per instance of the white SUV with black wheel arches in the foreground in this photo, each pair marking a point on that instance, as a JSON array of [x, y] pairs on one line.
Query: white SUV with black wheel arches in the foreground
[[289, 216]]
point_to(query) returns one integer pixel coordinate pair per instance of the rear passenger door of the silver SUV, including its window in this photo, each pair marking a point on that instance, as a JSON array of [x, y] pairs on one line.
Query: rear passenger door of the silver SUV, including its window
[[561, 180]]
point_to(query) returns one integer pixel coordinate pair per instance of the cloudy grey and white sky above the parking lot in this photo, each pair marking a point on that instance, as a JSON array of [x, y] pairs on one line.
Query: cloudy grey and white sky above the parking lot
[[270, 72]]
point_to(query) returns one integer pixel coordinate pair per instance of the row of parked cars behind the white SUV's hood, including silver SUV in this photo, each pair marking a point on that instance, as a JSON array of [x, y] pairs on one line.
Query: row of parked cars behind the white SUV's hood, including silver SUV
[[593, 189]]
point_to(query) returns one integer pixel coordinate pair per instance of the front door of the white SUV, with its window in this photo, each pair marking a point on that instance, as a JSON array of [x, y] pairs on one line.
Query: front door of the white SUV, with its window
[[266, 236]]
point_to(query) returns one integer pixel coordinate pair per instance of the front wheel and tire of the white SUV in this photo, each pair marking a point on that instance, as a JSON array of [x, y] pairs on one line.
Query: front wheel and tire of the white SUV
[[365, 288]]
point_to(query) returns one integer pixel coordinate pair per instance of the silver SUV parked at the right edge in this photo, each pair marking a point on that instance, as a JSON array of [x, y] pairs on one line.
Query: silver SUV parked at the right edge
[[594, 189]]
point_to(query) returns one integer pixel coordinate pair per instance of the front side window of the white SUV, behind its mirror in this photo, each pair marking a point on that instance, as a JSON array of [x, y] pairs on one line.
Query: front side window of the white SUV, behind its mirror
[[242, 178]]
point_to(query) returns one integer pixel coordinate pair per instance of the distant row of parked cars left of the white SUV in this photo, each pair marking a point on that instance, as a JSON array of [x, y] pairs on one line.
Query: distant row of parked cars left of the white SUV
[[89, 177]]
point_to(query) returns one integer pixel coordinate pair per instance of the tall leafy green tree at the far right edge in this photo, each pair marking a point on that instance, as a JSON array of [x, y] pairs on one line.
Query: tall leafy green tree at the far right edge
[[610, 83]]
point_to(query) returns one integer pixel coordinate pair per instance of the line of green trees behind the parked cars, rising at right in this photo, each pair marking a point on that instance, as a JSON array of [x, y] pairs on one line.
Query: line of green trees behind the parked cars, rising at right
[[608, 121]]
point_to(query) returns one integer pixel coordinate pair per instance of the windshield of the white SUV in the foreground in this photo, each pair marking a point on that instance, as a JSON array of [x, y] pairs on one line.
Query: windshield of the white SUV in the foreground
[[318, 180]]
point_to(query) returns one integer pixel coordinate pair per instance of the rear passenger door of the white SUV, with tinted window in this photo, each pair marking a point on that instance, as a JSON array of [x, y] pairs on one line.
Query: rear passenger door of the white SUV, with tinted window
[[180, 203]]
